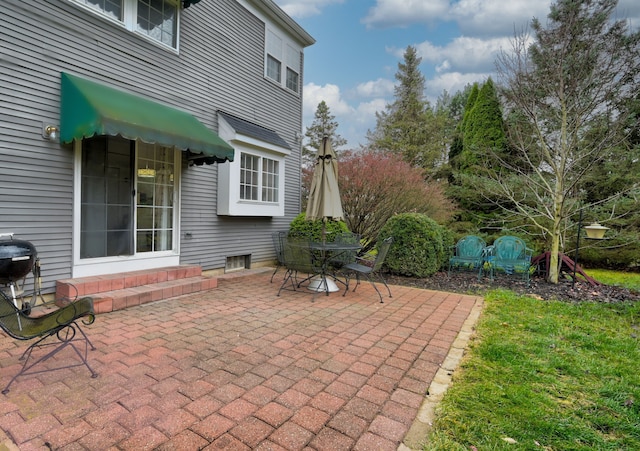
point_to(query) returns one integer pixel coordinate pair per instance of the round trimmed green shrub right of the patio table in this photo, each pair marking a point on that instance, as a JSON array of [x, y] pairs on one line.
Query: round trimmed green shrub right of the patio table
[[419, 245]]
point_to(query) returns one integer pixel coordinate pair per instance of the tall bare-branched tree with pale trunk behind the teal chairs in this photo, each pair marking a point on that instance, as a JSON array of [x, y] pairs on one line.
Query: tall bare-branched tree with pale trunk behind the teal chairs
[[567, 97]]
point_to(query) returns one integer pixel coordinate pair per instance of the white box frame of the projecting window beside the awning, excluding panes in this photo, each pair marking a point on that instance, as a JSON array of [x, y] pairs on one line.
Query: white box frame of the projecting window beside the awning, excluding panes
[[230, 202]]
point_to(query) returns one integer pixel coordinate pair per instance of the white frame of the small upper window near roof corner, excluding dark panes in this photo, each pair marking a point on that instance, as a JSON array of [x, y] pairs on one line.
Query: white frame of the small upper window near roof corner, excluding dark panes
[[287, 53]]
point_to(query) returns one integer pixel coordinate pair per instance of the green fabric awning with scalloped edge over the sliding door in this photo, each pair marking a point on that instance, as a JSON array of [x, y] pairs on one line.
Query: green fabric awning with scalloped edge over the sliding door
[[89, 108]]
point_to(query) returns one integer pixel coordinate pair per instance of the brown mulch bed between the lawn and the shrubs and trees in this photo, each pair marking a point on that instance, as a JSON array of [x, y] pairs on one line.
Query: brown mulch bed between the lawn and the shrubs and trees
[[467, 282]]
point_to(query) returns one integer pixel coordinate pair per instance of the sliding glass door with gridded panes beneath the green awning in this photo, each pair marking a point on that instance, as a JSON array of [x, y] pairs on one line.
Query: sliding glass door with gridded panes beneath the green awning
[[127, 204]]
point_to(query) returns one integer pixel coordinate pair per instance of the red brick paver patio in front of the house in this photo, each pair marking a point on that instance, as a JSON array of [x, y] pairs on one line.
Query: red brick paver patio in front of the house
[[240, 368]]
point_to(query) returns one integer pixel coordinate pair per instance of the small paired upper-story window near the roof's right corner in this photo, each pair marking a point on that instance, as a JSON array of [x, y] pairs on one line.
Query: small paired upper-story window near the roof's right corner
[[282, 61]]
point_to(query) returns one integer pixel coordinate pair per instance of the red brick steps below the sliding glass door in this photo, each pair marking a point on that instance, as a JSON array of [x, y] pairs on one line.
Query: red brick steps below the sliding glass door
[[122, 290]]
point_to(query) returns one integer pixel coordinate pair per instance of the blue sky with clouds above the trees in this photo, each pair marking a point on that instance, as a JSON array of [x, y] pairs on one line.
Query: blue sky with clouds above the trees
[[359, 44]]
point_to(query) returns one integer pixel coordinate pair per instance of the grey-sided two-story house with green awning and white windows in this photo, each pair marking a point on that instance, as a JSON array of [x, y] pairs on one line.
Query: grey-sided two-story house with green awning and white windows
[[146, 134]]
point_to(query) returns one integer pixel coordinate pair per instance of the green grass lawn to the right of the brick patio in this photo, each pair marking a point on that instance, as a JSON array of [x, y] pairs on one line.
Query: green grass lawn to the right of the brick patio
[[546, 376]]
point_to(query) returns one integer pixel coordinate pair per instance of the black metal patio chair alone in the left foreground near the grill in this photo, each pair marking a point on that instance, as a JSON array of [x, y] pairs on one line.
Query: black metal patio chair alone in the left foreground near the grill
[[61, 323]]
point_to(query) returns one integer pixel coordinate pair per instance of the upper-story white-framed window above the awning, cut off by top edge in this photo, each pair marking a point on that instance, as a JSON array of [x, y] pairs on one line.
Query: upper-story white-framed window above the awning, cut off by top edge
[[156, 19]]
